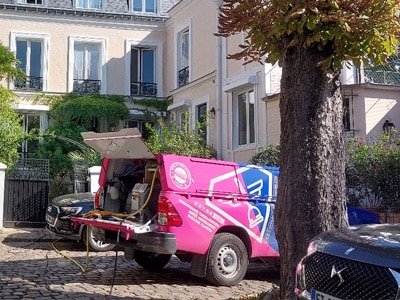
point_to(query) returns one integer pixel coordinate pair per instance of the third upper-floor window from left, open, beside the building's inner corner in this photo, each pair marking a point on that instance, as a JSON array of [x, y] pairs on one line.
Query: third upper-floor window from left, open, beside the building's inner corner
[[143, 77]]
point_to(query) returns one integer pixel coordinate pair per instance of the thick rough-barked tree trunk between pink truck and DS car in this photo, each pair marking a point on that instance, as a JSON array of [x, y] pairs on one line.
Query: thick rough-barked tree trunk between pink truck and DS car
[[311, 191]]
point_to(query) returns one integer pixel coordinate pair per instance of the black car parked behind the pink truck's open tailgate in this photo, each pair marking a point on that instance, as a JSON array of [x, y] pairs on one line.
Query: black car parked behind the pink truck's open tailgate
[[58, 220]]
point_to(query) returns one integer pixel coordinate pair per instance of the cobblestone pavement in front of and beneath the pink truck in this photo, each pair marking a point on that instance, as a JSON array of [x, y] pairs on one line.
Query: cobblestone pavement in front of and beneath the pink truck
[[32, 266]]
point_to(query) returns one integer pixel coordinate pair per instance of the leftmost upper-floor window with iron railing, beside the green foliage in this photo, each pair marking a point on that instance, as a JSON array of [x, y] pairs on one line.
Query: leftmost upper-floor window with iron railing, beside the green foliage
[[29, 55]]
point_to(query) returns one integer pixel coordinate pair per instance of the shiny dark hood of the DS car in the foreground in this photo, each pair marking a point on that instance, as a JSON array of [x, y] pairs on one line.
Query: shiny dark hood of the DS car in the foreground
[[374, 243]]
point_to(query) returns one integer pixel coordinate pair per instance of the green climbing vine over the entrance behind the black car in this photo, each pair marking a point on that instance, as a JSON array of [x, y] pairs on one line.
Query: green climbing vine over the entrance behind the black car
[[62, 143]]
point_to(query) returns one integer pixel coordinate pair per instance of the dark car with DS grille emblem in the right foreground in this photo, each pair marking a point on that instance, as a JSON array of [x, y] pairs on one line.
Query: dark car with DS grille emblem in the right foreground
[[360, 263]]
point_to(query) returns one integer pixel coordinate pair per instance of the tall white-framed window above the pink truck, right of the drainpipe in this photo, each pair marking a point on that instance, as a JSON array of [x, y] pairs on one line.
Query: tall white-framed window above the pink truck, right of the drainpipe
[[244, 112]]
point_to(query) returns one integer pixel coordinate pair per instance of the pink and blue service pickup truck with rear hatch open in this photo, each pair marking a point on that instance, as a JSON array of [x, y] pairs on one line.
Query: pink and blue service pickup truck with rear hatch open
[[218, 215]]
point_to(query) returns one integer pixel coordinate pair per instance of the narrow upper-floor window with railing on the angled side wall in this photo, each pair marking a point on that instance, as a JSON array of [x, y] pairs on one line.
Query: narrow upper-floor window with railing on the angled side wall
[[183, 57]]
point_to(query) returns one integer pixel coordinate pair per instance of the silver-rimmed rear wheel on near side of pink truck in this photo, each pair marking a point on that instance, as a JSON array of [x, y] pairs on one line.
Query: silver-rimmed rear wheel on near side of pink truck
[[227, 260]]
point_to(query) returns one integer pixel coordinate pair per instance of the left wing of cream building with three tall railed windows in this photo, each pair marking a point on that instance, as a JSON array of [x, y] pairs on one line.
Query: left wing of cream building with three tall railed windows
[[97, 46]]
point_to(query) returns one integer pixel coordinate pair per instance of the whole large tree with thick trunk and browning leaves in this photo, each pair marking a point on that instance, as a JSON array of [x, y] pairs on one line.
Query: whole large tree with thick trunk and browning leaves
[[311, 40]]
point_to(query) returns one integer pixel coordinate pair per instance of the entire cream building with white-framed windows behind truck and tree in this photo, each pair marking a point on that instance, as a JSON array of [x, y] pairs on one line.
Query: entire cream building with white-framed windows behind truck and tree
[[160, 48]]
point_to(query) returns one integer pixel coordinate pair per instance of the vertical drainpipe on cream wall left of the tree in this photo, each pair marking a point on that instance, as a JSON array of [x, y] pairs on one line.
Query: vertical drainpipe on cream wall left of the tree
[[218, 114]]
